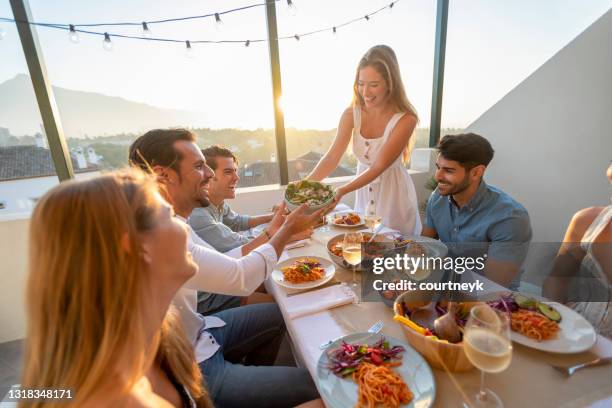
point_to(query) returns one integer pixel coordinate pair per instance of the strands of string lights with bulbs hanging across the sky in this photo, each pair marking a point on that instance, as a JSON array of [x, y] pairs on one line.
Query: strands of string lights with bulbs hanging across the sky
[[146, 34]]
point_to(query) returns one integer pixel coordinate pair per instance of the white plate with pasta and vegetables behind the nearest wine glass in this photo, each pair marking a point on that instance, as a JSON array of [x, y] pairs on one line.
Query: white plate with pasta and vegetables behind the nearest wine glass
[[546, 326]]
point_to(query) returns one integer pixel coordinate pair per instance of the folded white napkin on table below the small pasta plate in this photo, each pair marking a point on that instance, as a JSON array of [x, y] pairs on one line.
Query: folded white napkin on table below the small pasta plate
[[319, 300]]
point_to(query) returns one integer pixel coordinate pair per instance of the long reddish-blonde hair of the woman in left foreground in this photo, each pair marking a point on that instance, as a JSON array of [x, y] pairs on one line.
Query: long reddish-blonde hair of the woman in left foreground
[[86, 291]]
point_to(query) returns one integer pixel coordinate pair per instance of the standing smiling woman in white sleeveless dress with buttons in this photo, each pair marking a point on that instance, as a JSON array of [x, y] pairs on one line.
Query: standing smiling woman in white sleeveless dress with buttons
[[380, 121]]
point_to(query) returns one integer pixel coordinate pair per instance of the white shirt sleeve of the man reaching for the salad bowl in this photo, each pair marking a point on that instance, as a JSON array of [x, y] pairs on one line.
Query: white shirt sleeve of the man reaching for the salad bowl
[[224, 274]]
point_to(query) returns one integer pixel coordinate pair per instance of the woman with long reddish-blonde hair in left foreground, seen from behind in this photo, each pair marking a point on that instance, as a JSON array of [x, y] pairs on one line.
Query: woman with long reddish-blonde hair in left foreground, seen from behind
[[106, 258]]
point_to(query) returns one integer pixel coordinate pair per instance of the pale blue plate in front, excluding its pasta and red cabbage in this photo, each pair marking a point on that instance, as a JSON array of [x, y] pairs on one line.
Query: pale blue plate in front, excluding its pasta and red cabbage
[[342, 392]]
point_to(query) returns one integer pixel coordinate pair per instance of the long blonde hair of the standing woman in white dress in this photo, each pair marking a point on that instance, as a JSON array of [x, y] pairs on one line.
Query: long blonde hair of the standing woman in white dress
[[382, 58]]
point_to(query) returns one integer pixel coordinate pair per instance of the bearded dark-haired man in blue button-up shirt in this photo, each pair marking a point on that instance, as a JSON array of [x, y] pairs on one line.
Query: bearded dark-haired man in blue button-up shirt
[[467, 212]]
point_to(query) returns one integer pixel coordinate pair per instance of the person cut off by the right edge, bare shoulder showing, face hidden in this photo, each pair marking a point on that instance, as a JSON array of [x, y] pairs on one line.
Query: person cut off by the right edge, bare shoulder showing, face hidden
[[582, 272]]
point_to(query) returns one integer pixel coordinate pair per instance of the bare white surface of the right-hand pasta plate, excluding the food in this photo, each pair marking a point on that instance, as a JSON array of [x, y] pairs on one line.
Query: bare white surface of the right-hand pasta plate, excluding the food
[[576, 334]]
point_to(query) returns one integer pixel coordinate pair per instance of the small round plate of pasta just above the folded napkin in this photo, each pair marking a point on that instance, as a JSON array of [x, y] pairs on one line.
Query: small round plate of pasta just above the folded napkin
[[303, 272]]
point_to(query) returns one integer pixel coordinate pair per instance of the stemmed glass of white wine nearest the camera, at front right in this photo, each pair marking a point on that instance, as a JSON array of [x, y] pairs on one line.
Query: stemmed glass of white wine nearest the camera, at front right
[[487, 345]]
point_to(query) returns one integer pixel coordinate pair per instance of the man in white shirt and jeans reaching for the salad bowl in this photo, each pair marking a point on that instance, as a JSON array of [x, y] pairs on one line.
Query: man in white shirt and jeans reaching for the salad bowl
[[235, 348]]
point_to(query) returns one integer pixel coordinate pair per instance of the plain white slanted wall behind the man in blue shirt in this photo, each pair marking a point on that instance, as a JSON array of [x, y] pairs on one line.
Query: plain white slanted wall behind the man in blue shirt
[[552, 134]]
